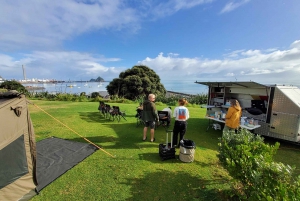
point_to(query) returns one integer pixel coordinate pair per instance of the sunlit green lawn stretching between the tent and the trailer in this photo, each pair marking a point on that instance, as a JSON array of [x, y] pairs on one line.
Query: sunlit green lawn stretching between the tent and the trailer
[[136, 171]]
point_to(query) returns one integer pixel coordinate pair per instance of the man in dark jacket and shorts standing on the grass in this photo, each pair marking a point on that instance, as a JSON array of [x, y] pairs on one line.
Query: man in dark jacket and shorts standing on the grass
[[149, 116]]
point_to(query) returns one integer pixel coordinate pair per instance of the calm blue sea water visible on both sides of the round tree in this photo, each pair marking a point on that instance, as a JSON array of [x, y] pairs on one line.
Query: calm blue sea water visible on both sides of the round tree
[[90, 87]]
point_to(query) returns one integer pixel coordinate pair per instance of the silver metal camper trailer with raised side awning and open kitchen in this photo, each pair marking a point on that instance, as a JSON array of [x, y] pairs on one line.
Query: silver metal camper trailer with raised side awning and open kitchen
[[276, 109]]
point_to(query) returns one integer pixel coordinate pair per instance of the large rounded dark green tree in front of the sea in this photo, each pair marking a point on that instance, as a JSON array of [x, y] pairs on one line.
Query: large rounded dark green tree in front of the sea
[[136, 82]]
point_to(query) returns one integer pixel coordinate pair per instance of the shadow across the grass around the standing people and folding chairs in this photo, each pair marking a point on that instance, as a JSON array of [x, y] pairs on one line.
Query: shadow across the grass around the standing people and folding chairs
[[129, 134]]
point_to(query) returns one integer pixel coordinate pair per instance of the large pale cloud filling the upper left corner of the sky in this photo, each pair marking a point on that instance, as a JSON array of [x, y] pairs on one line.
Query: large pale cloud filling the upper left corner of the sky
[[48, 23]]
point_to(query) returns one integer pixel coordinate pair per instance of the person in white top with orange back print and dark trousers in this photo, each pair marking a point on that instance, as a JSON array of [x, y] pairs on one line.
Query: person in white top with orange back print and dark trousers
[[181, 114]]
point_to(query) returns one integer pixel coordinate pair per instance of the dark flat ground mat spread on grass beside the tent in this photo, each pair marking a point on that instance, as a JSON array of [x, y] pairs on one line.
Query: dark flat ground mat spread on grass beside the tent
[[55, 156]]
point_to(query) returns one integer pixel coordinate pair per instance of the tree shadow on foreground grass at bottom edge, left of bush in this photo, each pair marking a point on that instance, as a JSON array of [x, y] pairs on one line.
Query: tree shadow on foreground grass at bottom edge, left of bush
[[176, 186]]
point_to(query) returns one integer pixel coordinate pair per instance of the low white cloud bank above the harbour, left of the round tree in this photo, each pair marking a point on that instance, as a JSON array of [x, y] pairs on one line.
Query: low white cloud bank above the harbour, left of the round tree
[[59, 65]]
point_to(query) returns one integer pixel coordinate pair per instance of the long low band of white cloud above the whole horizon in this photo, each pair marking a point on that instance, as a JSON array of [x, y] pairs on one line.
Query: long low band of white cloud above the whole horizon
[[279, 66]]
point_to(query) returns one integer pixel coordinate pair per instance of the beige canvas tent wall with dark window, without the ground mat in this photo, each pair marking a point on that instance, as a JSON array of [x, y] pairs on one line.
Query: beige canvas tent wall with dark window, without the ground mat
[[16, 135]]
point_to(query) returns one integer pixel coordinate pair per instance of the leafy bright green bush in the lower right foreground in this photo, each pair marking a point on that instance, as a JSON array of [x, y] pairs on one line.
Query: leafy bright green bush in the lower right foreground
[[250, 162]]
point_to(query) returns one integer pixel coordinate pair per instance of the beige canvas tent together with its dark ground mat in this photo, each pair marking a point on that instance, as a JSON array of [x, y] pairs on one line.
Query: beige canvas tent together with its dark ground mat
[[27, 167]]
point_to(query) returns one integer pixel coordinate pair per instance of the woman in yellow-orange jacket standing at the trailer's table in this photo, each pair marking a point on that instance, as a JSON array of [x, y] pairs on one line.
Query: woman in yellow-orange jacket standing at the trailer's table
[[232, 118]]
